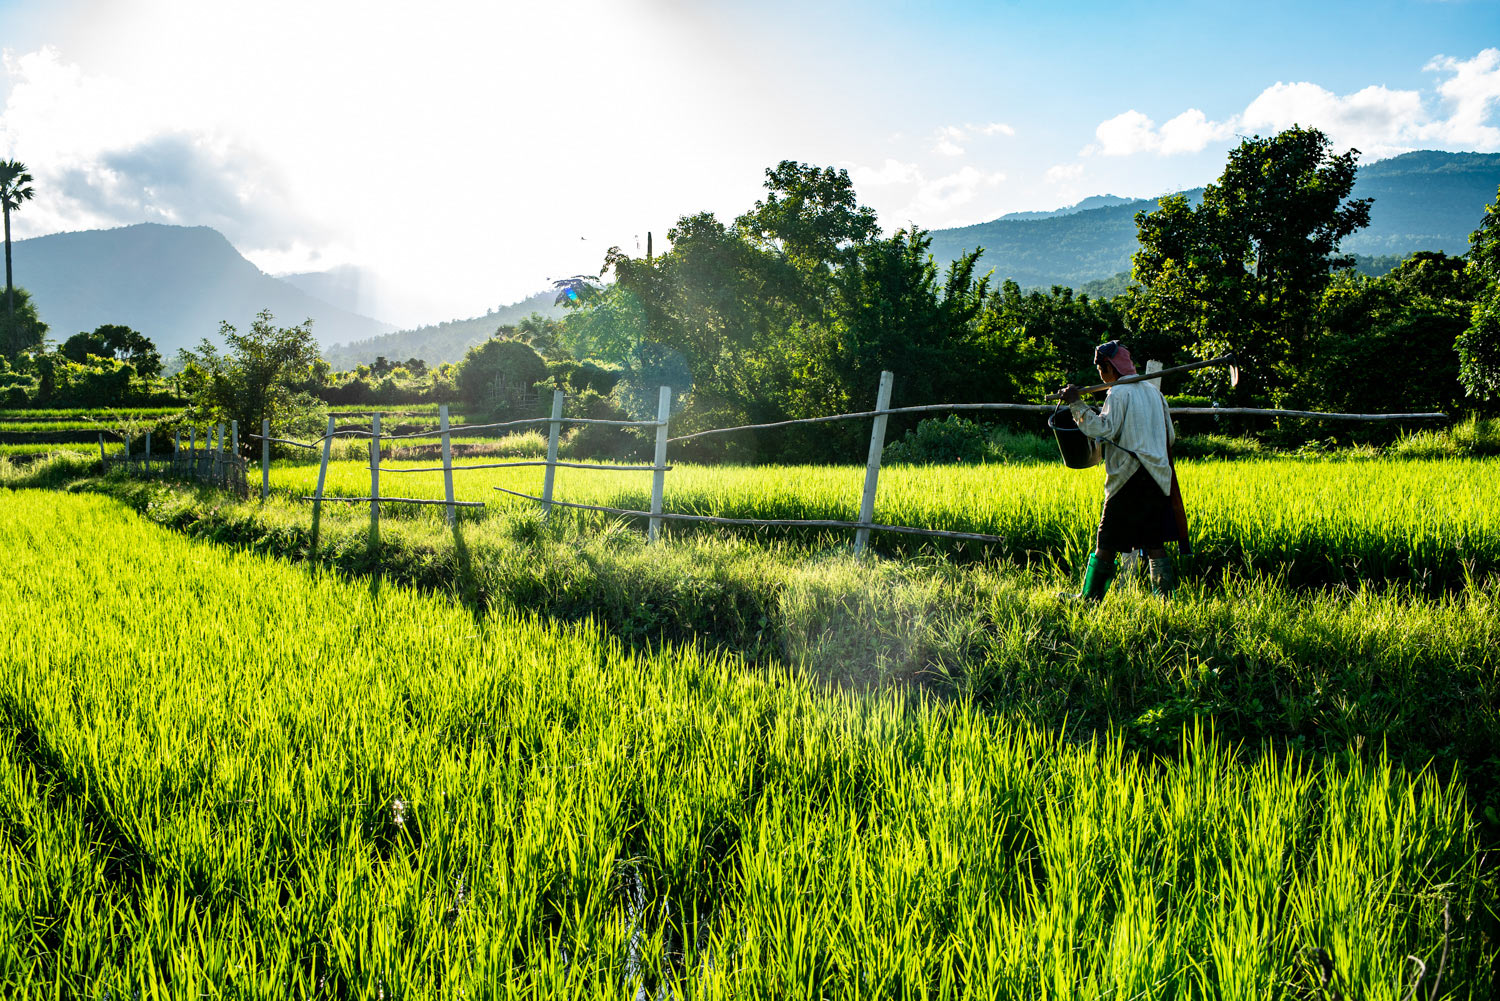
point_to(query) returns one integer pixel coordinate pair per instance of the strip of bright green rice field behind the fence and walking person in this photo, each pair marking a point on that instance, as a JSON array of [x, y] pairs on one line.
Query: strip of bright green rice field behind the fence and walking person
[[1432, 525]]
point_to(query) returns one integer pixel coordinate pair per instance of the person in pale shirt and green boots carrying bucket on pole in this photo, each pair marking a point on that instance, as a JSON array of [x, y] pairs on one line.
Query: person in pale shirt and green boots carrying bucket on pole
[[1142, 502]]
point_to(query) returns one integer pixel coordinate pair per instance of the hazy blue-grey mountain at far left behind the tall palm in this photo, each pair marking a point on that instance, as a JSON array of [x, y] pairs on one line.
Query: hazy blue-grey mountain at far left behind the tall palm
[[173, 284]]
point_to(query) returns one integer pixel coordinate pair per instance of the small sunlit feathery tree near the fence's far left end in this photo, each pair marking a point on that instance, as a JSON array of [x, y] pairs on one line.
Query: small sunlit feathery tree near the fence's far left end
[[257, 379]]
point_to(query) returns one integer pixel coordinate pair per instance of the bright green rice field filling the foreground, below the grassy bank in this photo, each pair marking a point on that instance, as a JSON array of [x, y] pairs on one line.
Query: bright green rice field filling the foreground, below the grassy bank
[[224, 775]]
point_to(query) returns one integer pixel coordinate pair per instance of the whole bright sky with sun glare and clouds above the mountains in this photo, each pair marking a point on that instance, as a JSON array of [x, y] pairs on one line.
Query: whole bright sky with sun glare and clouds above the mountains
[[470, 152]]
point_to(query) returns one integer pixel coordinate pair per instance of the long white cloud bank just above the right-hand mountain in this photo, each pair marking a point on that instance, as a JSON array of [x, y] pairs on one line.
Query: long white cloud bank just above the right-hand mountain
[[1378, 121]]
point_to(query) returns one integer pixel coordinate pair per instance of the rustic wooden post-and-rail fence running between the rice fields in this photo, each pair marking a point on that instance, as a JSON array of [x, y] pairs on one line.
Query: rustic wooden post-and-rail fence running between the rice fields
[[230, 470]]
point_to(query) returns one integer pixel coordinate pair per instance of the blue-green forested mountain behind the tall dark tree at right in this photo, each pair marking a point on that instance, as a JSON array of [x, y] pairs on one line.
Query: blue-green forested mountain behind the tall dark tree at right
[[1424, 202]]
